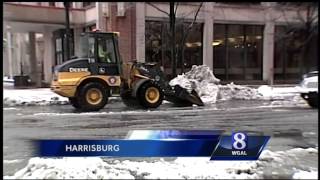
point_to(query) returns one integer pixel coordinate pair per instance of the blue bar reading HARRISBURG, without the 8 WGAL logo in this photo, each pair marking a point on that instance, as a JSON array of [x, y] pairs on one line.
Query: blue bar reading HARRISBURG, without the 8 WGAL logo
[[127, 148]]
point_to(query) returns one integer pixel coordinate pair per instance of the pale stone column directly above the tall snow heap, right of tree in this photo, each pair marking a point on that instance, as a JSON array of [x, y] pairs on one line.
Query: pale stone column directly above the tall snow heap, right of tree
[[208, 35]]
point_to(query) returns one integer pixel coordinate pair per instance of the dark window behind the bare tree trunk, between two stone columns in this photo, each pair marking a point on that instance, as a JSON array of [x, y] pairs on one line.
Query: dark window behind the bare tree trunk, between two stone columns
[[158, 45]]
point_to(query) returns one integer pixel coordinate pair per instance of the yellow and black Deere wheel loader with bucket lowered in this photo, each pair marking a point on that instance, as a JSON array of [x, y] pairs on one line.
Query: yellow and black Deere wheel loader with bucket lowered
[[88, 80]]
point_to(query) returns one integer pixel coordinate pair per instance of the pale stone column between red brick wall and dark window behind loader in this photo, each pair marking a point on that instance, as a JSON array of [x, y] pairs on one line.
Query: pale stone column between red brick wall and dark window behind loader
[[140, 31]]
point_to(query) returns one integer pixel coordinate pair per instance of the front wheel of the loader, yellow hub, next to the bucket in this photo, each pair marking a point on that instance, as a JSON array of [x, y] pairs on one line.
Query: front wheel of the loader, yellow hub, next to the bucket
[[150, 95]]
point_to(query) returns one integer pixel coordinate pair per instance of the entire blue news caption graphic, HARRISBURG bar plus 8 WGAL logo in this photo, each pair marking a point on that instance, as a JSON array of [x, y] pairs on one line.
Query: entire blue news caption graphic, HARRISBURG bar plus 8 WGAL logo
[[161, 143]]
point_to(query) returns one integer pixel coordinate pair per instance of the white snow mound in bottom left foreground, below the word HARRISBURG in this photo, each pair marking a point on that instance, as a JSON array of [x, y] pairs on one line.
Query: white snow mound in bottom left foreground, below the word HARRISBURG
[[69, 168]]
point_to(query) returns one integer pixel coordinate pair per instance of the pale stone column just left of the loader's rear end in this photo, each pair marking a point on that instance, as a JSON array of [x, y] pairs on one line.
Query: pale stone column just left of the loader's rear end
[[48, 56]]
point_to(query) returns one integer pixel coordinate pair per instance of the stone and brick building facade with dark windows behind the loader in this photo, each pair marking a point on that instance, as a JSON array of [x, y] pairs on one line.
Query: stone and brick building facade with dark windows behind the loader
[[238, 41]]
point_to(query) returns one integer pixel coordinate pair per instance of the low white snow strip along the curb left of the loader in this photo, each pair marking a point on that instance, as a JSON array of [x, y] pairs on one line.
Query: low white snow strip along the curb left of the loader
[[41, 96]]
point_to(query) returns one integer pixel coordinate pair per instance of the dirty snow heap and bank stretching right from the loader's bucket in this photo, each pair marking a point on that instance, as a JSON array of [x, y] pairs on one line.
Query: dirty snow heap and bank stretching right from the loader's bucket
[[202, 79]]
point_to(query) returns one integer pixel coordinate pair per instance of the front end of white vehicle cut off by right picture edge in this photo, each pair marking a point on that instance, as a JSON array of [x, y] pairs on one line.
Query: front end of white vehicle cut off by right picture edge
[[308, 88]]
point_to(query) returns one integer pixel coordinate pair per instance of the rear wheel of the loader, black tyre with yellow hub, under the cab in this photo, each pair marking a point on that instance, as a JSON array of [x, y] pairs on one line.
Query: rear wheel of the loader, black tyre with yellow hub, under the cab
[[92, 97]]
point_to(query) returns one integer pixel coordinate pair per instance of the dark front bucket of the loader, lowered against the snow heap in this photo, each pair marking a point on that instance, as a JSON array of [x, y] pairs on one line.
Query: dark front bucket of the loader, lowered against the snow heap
[[181, 97]]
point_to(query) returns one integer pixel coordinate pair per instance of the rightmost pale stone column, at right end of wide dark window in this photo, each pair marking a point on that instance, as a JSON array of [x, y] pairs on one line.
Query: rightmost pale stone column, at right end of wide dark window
[[268, 45]]
